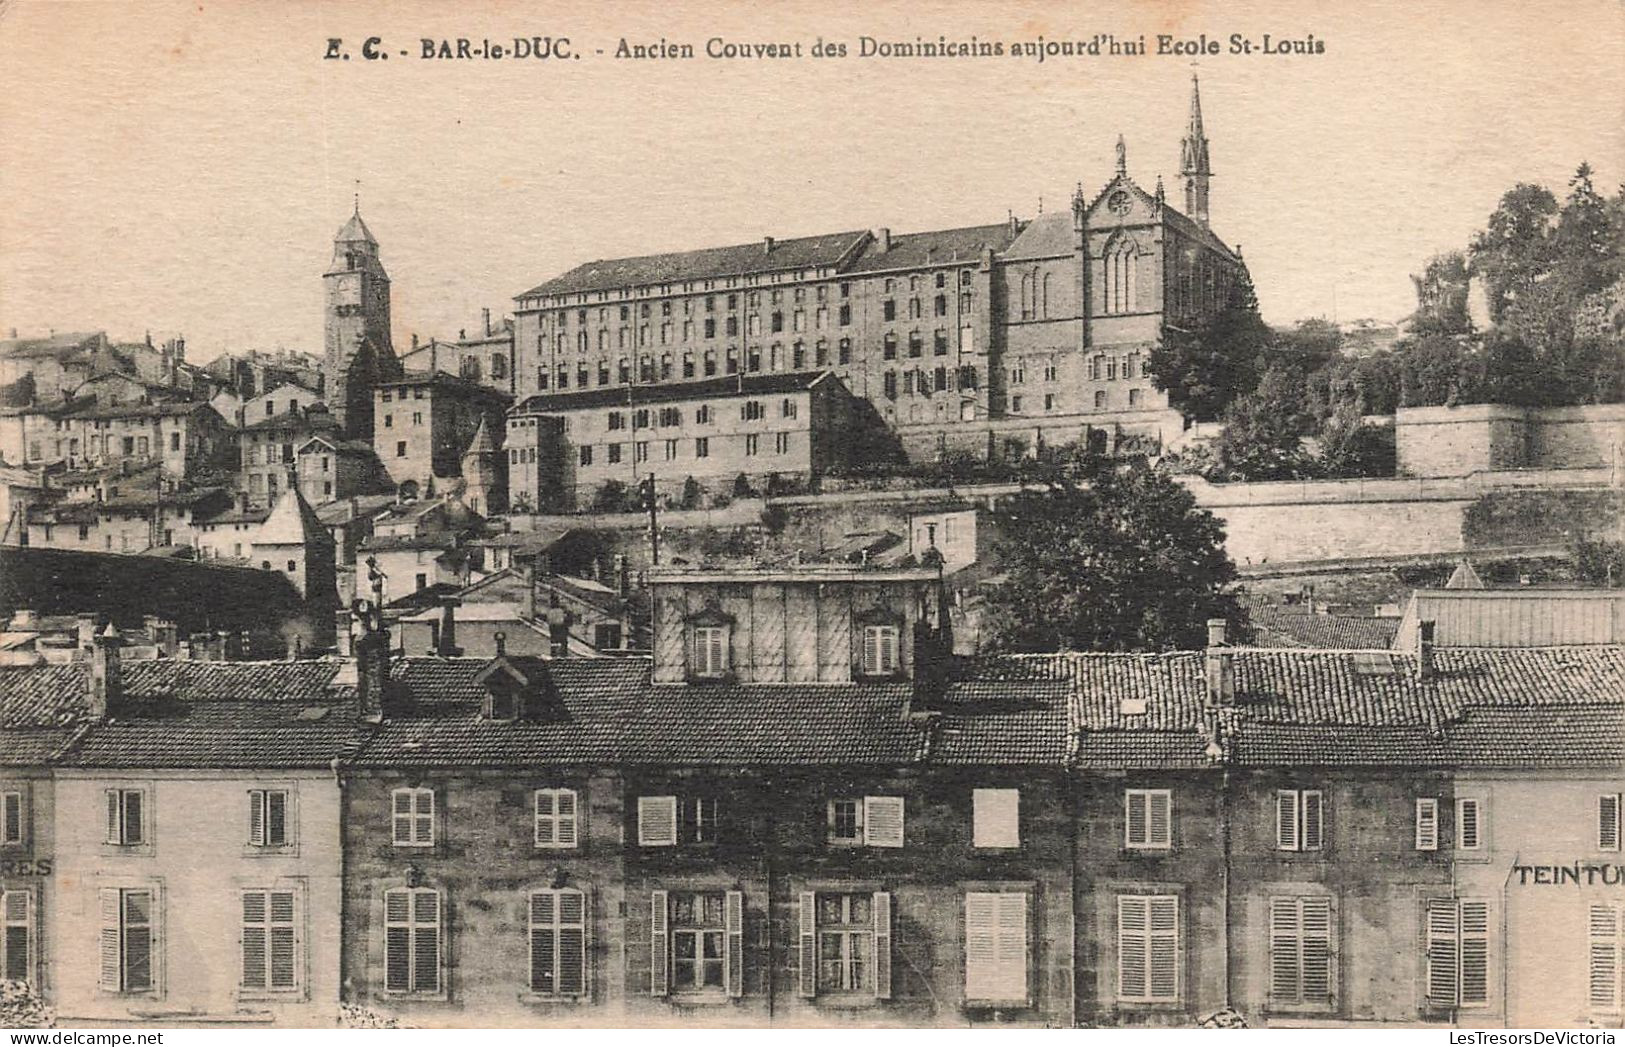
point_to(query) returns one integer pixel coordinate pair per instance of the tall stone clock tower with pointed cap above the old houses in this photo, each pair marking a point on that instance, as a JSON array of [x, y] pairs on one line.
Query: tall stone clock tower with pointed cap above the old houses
[[358, 352]]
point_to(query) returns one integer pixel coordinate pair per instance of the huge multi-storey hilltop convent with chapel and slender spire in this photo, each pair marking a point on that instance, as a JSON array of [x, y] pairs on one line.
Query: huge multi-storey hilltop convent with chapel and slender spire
[[987, 341]]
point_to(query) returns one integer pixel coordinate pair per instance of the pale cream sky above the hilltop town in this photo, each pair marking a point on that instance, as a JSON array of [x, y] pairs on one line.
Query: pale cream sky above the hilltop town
[[183, 168]]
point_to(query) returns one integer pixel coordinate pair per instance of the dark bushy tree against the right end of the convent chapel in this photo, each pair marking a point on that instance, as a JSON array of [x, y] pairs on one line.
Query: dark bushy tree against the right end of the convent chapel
[[1205, 370]]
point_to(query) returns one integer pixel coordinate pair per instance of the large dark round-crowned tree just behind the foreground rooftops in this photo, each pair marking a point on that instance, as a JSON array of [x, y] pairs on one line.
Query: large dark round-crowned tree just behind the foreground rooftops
[[1129, 563]]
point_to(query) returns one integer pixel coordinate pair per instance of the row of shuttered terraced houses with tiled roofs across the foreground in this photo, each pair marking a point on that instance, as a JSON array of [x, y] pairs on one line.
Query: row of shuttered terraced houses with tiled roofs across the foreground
[[802, 810]]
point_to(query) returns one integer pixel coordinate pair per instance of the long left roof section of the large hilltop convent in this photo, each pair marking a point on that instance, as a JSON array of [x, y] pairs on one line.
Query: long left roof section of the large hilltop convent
[[706, 264]]
